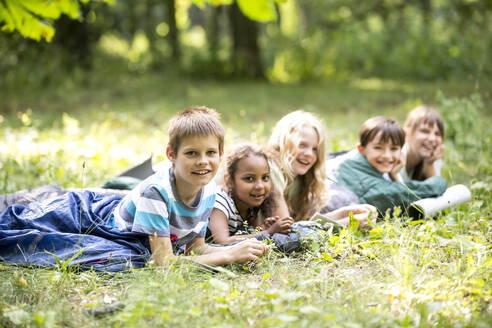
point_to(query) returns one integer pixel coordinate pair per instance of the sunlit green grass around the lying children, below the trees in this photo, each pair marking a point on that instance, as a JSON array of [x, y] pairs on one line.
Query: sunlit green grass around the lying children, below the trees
[[436, 273]]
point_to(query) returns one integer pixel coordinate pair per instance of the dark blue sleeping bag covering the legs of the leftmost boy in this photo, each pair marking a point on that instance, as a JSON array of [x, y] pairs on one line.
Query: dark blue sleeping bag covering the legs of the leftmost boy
[[65, 225]]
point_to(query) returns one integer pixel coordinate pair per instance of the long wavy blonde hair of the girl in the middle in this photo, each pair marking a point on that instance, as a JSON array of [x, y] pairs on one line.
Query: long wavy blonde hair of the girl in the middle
[[281, 146]]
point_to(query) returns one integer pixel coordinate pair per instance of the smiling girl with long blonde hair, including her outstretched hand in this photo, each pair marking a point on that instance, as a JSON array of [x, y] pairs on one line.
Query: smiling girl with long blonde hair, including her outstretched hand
[[297, 150]]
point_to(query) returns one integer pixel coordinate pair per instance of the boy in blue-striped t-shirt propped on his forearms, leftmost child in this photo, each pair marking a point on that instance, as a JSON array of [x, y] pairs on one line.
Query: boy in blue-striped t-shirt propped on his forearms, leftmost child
[[173, 205]]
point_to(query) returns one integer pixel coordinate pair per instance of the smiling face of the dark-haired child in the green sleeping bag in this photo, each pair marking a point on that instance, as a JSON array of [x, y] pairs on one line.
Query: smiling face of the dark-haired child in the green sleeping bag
[[381, 155]]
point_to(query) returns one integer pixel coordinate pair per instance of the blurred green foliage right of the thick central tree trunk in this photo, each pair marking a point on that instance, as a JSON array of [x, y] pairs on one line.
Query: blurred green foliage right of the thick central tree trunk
[[389, 39]]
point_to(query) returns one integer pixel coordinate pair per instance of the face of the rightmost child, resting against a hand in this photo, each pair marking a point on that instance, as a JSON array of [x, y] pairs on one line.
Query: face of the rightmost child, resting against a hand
[[424, 140]]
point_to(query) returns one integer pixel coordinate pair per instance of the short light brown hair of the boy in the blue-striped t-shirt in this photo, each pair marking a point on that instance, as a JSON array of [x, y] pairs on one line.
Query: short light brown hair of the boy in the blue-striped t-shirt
[[195, 121]]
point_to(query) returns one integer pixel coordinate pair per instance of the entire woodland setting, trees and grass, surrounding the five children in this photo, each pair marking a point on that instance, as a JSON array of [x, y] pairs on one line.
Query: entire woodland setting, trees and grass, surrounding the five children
[[87, 89]]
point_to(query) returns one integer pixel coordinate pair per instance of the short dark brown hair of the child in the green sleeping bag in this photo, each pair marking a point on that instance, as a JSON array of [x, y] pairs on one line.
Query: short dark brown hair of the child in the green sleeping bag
[[389, 128]]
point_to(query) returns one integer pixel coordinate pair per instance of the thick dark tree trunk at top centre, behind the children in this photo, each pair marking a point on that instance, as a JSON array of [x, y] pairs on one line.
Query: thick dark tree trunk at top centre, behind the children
[[246, 57]]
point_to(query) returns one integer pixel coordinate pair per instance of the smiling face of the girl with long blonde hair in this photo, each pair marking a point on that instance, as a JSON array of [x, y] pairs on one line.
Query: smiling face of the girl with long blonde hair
[[306, 151]]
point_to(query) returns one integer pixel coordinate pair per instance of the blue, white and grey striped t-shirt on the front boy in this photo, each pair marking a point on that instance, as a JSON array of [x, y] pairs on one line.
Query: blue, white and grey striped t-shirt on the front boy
[[153, 207]]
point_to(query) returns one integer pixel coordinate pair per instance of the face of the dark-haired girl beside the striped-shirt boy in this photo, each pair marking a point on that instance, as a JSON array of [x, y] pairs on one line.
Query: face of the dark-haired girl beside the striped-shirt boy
[[251, 183]]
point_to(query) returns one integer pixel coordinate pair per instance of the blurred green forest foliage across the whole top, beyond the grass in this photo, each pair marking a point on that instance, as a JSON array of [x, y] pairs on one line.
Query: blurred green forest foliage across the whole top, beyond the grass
[[299, 40]]
